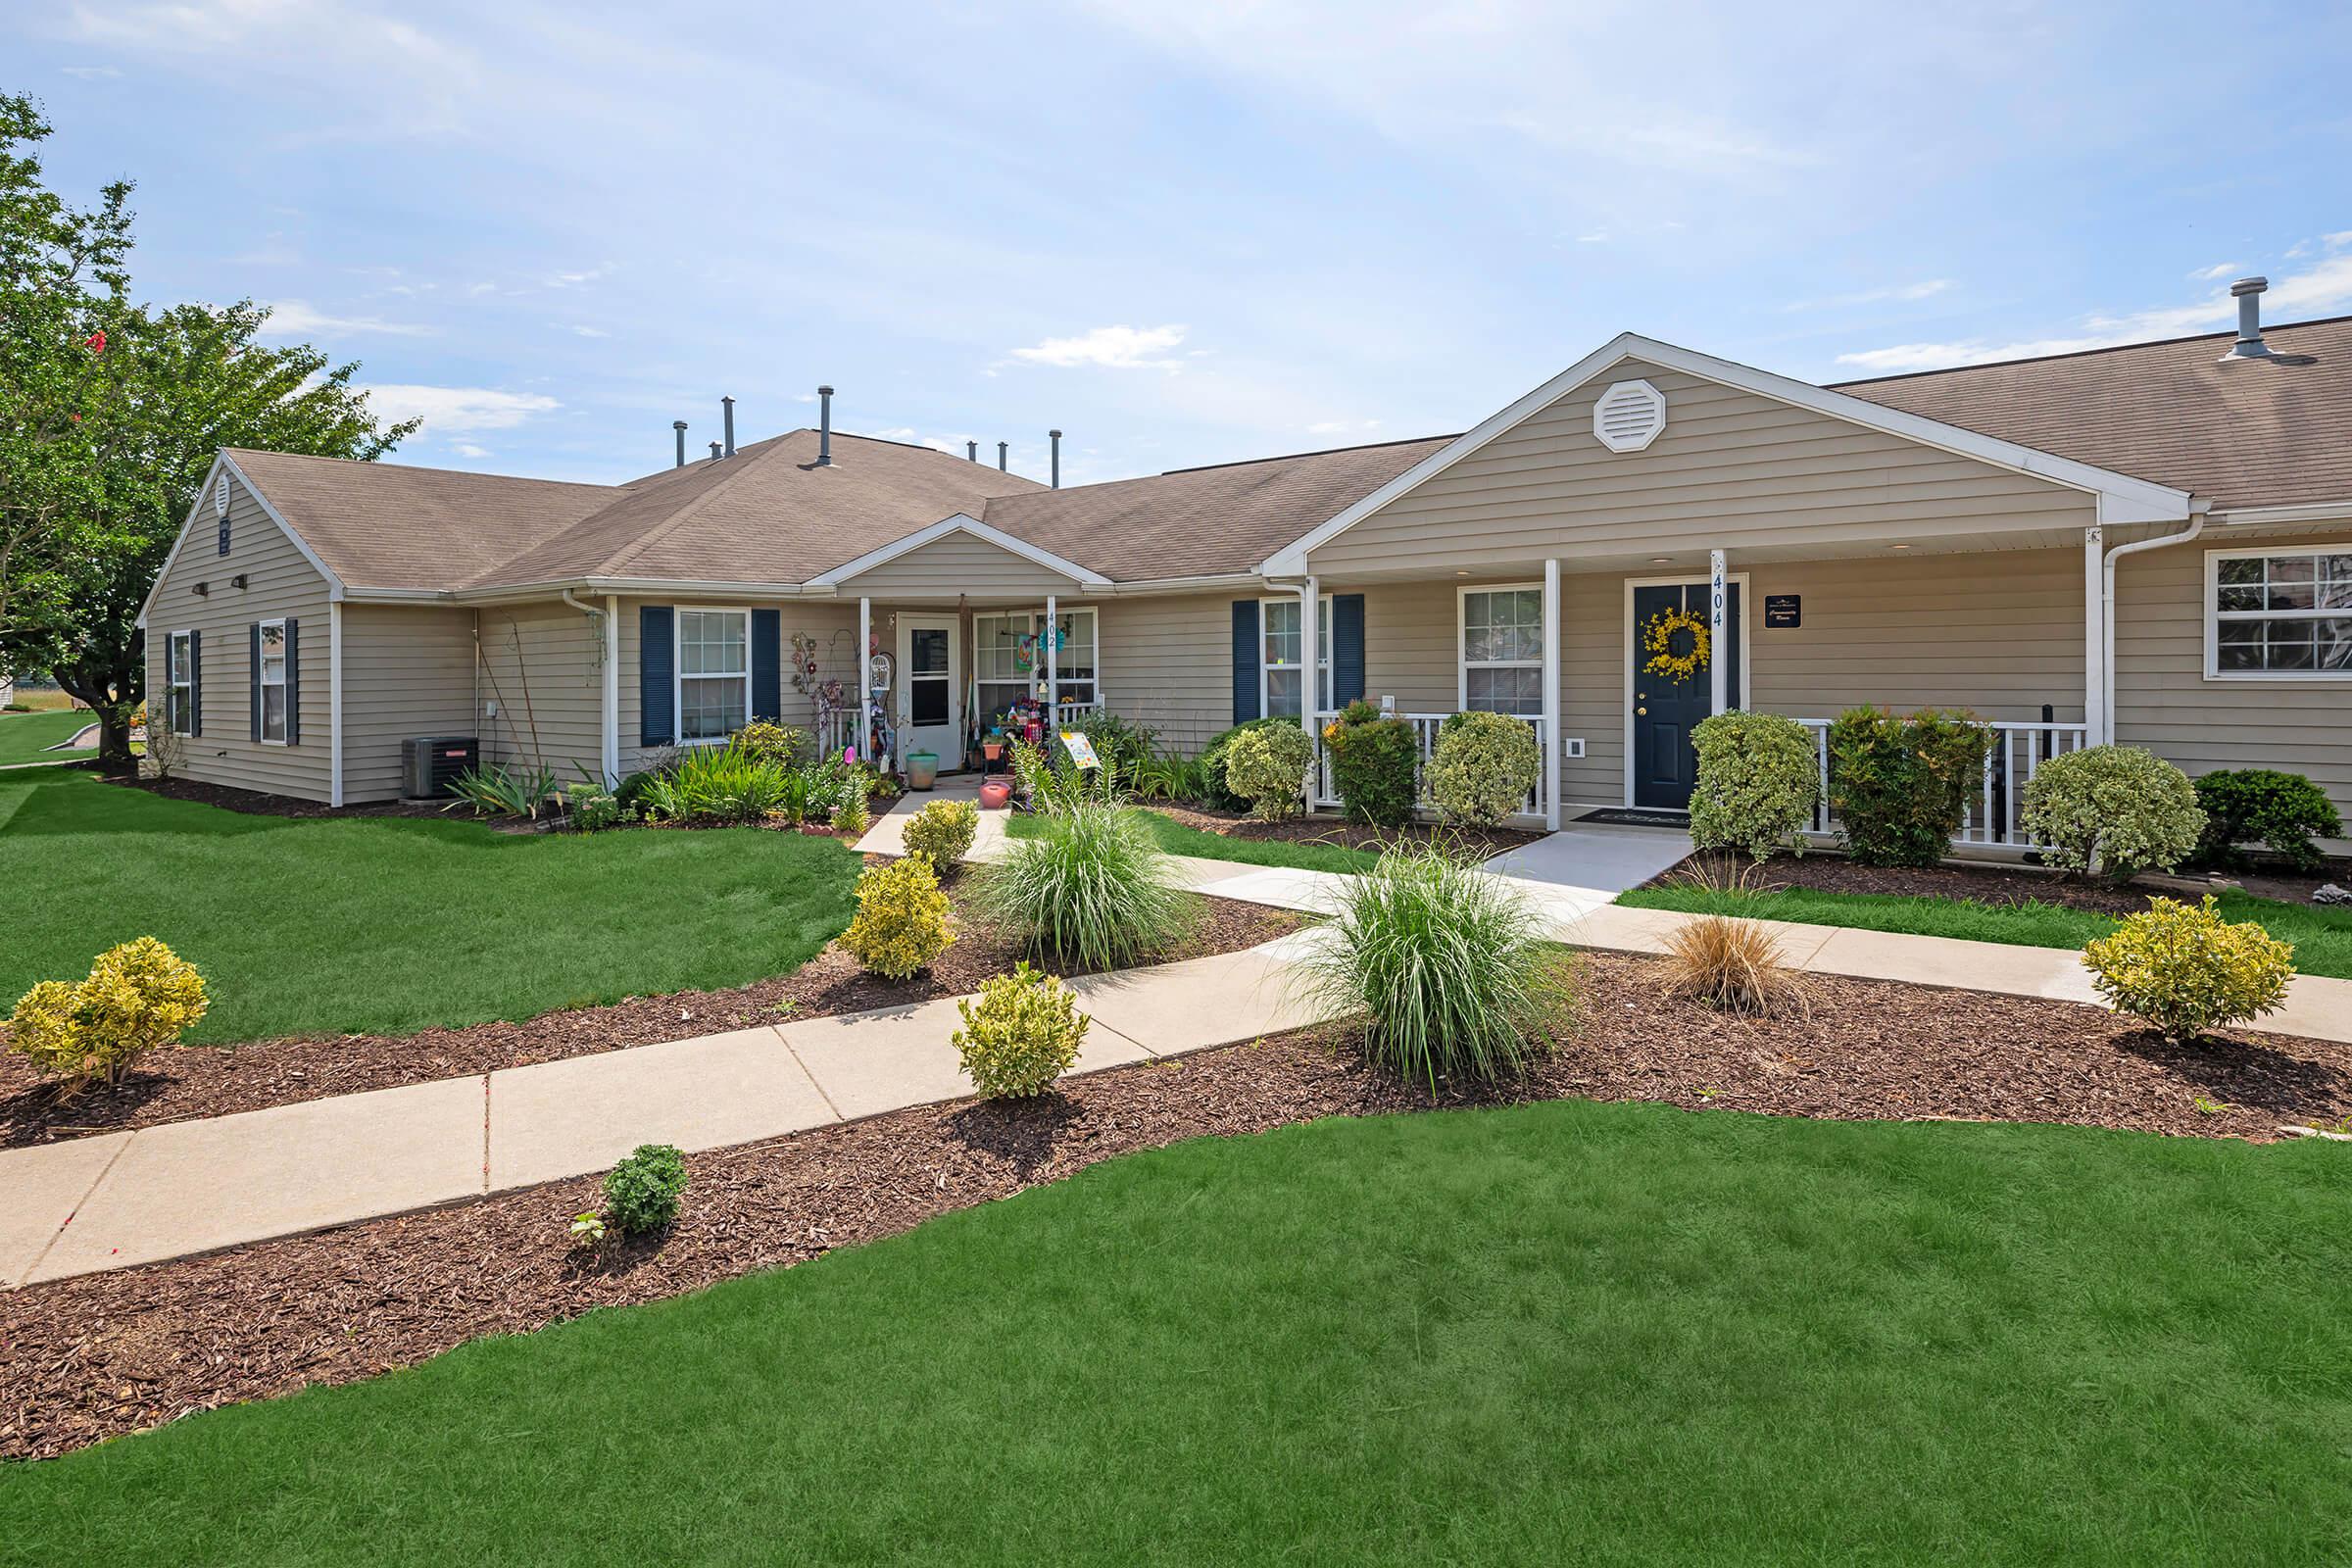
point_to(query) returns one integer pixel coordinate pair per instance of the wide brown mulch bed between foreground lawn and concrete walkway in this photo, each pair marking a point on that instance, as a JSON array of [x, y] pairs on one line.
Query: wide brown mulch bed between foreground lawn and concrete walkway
[[114, 1353]]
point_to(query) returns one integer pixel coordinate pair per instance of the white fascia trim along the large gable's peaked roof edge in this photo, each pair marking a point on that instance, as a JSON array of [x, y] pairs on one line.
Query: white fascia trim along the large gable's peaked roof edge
[[2123, 500]]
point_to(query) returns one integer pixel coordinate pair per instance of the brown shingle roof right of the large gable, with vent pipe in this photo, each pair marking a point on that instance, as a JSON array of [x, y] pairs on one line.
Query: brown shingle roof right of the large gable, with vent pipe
[[2243, 434]]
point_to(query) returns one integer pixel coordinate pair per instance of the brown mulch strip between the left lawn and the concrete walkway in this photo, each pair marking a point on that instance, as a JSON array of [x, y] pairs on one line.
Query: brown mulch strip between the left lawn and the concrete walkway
[[222, 1080]]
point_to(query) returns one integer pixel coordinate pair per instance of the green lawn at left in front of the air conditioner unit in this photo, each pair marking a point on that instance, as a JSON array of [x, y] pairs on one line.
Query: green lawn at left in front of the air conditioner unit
[[394, 925]]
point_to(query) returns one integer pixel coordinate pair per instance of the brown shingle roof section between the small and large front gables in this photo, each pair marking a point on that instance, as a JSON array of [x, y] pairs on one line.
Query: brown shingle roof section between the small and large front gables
[[1203, 521]]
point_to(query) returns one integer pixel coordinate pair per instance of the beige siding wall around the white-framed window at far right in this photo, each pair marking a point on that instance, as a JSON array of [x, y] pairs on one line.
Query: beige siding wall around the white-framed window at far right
[[2165, 702]]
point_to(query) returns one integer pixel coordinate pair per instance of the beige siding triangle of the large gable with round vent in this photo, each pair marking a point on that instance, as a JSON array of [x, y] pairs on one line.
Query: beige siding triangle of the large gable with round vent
[[1730, 471]]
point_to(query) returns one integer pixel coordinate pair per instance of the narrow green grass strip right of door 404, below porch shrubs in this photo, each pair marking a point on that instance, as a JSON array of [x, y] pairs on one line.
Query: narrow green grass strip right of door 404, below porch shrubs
[[2323, 937]]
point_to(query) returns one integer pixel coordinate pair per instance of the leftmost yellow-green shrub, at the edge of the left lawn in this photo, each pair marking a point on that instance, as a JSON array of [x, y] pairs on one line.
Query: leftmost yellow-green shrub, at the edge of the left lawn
[[138, 998]]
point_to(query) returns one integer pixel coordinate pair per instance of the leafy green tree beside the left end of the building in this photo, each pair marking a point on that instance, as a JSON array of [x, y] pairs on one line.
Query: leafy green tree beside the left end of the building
[[112, 420]]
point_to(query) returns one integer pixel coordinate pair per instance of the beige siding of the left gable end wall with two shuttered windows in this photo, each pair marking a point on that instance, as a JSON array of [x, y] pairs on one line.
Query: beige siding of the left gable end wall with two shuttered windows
[[279, 584]]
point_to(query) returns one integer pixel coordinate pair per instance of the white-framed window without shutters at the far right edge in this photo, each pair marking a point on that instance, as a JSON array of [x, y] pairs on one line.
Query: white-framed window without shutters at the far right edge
[[2280, 615]]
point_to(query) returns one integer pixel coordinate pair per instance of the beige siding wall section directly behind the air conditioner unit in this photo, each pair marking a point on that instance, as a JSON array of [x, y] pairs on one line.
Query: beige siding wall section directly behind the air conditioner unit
[[408, 671]]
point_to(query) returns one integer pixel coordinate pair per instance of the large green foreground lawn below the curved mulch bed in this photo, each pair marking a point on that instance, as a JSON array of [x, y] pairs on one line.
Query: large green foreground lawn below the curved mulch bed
[[1593, 1334]]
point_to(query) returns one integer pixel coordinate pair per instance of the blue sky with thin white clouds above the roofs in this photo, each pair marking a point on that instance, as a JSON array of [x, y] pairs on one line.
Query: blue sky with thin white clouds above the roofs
[[1191, 232]]
